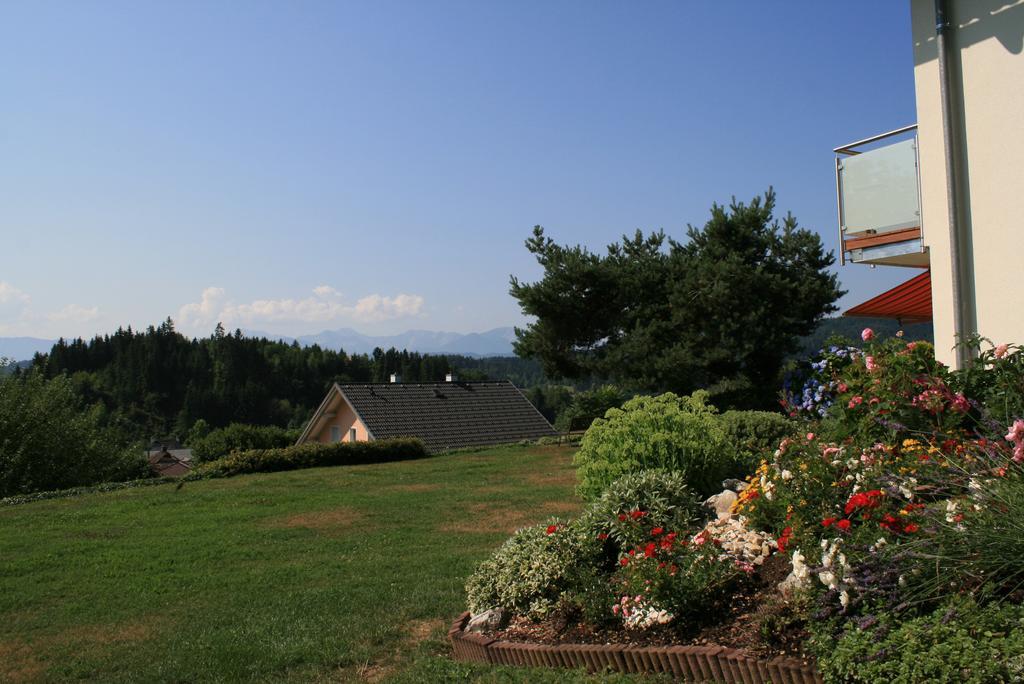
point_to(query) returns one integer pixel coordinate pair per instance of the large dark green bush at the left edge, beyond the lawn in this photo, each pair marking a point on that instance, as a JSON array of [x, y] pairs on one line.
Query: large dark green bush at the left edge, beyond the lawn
[[50, 441]]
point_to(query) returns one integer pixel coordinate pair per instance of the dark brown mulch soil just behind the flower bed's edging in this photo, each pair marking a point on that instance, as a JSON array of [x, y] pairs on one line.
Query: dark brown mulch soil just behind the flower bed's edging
[[739, 627]]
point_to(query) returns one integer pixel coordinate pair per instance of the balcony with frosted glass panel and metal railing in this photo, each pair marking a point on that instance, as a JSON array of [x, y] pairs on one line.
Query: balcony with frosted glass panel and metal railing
[[879, 194]]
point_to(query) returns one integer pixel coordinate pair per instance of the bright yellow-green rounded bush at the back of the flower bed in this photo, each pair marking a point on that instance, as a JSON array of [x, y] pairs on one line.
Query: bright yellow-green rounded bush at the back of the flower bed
[[670, 433]]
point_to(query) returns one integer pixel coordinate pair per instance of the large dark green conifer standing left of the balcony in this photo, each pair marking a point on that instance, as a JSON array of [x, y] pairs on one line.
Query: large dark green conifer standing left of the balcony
[[720, 311]]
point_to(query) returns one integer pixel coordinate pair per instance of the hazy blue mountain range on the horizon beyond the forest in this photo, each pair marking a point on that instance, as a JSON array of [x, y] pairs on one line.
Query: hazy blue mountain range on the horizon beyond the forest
[[497, 343]]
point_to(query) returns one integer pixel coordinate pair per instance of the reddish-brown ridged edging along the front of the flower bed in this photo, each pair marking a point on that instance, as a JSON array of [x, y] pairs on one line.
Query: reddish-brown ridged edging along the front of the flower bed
[[689, 664]]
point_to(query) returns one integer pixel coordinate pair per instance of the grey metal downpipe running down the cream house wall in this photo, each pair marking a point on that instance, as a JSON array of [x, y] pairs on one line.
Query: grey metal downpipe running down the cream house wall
[[952, 154]]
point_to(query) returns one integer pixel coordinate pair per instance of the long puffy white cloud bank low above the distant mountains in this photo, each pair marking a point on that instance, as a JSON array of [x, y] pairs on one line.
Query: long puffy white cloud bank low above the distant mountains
[[325, 306]]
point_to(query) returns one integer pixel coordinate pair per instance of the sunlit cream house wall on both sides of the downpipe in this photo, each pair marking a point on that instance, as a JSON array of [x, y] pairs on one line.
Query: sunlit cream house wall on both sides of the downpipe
[[989, 69]]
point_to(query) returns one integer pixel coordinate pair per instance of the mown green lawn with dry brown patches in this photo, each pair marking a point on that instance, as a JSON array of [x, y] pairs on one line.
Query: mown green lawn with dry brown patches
[[325, 575]]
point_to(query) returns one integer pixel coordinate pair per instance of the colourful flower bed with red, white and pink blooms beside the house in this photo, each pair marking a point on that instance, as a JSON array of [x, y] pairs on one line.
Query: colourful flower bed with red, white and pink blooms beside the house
[[895, 508]]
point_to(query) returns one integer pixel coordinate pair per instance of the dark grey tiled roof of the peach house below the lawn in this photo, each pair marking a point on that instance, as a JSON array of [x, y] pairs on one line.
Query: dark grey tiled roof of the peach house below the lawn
[[448, 415]]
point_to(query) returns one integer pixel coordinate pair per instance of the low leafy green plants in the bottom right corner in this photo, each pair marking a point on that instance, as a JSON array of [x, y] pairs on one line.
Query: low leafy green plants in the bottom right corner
[[959, 643]]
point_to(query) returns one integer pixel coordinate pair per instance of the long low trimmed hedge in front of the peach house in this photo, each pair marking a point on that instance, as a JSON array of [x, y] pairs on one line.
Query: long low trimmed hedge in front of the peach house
[[311, 456]]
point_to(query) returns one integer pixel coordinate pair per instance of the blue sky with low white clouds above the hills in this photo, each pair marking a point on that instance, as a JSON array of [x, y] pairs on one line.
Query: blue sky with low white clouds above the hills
[[298, 166]]
